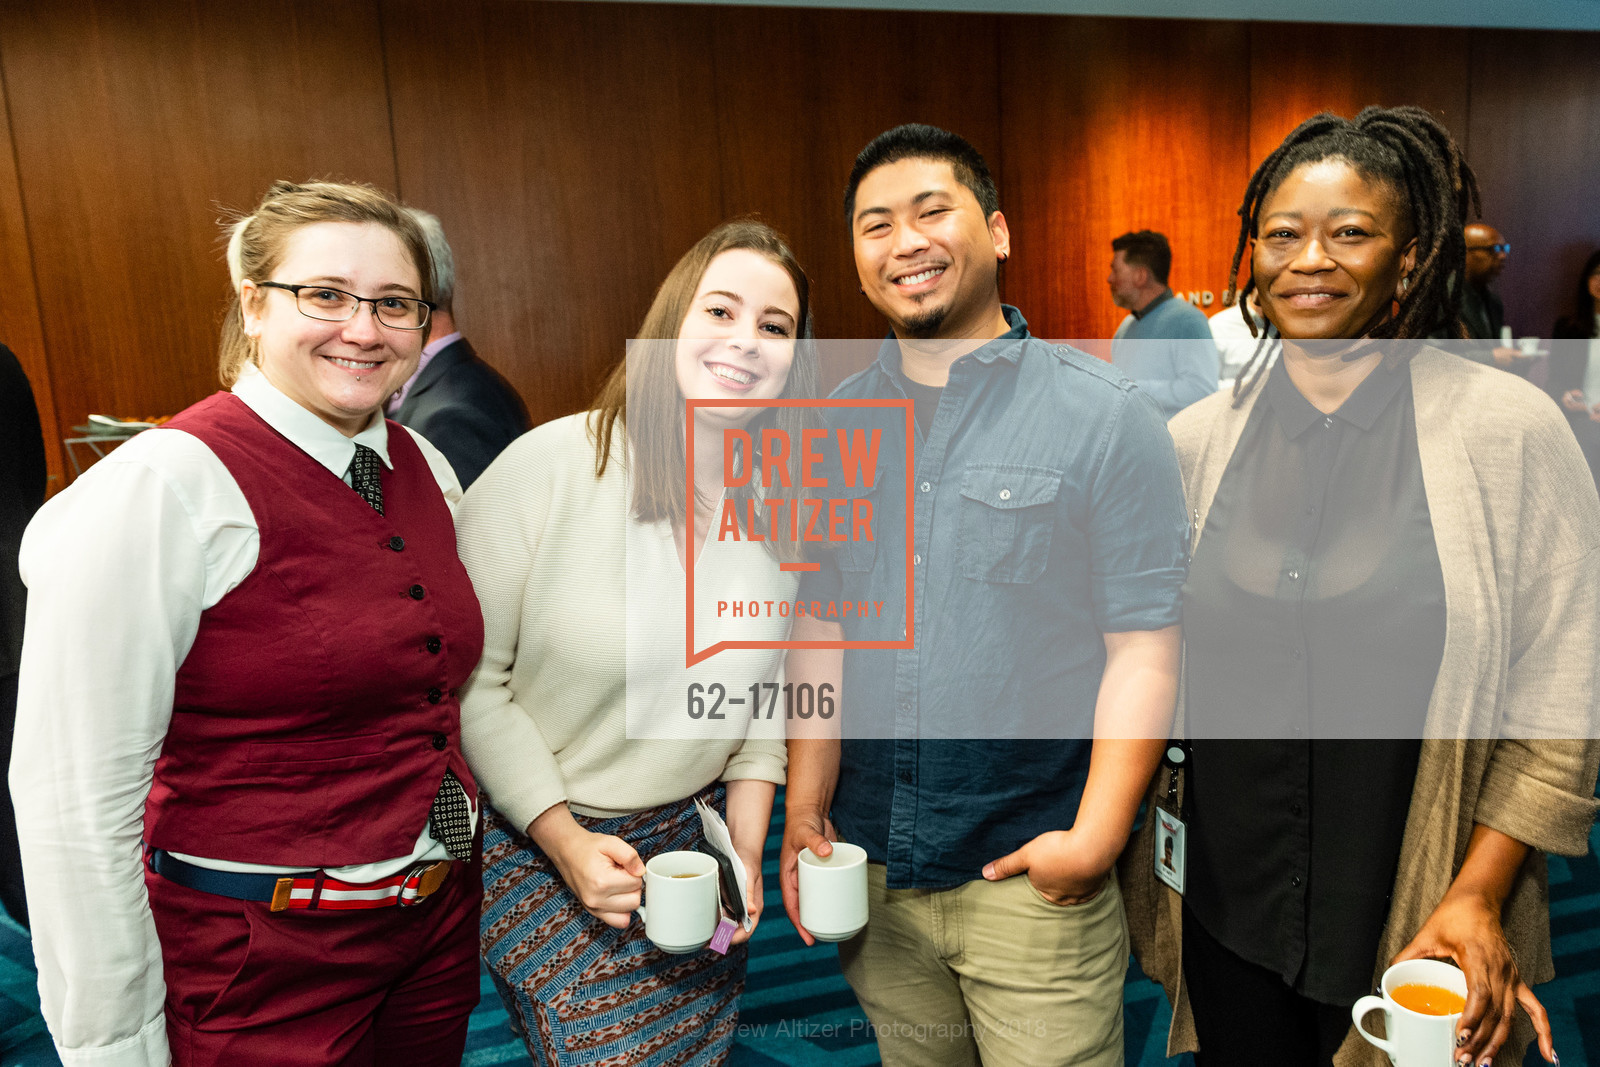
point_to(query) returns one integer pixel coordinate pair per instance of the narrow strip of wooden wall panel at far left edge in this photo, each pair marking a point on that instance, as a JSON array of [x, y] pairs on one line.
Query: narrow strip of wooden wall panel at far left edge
[[20, 326]]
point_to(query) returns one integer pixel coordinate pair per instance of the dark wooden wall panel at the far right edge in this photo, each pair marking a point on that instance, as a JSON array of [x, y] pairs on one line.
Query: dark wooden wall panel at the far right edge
[[1535, 145]]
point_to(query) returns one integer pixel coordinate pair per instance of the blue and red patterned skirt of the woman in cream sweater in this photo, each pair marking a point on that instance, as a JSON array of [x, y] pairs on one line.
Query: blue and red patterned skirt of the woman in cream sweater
[[590, 994]]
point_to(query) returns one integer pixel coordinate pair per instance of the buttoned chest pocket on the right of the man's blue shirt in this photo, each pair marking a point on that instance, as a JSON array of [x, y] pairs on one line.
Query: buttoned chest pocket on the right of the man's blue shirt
[[1009, 516]]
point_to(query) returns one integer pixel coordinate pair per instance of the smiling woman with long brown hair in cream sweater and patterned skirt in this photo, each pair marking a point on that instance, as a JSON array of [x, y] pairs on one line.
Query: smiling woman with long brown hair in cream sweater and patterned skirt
[[580, 719]]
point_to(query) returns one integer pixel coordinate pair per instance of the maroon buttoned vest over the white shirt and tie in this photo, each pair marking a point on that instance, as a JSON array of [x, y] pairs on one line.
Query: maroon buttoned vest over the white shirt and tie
[[316, 713]]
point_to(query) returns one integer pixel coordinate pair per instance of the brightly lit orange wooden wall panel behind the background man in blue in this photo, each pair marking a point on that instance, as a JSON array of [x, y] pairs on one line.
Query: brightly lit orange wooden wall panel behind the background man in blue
[[1118, 126]]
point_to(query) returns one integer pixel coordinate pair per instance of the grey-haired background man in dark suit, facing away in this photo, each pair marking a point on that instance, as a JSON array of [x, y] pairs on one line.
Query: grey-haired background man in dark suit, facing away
[[457, 401]]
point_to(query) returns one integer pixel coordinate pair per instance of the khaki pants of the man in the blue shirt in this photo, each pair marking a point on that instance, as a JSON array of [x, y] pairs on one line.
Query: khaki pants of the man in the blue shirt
[[991, 973]]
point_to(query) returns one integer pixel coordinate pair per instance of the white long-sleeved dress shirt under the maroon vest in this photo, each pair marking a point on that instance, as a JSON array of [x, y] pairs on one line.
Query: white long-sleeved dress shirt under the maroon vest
[[119, 569]]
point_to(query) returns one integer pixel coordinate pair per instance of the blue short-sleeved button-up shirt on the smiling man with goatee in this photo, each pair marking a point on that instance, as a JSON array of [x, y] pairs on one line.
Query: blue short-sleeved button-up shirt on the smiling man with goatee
[[1047, 513]]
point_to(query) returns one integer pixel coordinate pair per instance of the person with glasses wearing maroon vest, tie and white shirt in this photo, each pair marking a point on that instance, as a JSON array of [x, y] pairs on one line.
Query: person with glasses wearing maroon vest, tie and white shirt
[[246, 818]]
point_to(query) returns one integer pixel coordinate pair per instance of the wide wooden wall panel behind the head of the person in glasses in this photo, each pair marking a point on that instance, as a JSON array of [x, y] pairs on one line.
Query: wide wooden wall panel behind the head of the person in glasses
[[135, 124]]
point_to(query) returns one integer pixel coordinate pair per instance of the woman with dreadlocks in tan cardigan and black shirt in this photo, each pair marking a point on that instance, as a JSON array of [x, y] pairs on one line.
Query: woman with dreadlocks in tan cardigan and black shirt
[[1396, 554]]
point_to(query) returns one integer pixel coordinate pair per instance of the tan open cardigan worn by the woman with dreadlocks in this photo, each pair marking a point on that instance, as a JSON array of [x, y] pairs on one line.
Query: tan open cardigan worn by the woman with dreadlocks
[[1513, 721]]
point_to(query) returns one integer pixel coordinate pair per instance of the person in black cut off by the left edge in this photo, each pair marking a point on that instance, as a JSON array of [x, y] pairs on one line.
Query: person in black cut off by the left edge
[[22, 494]]
